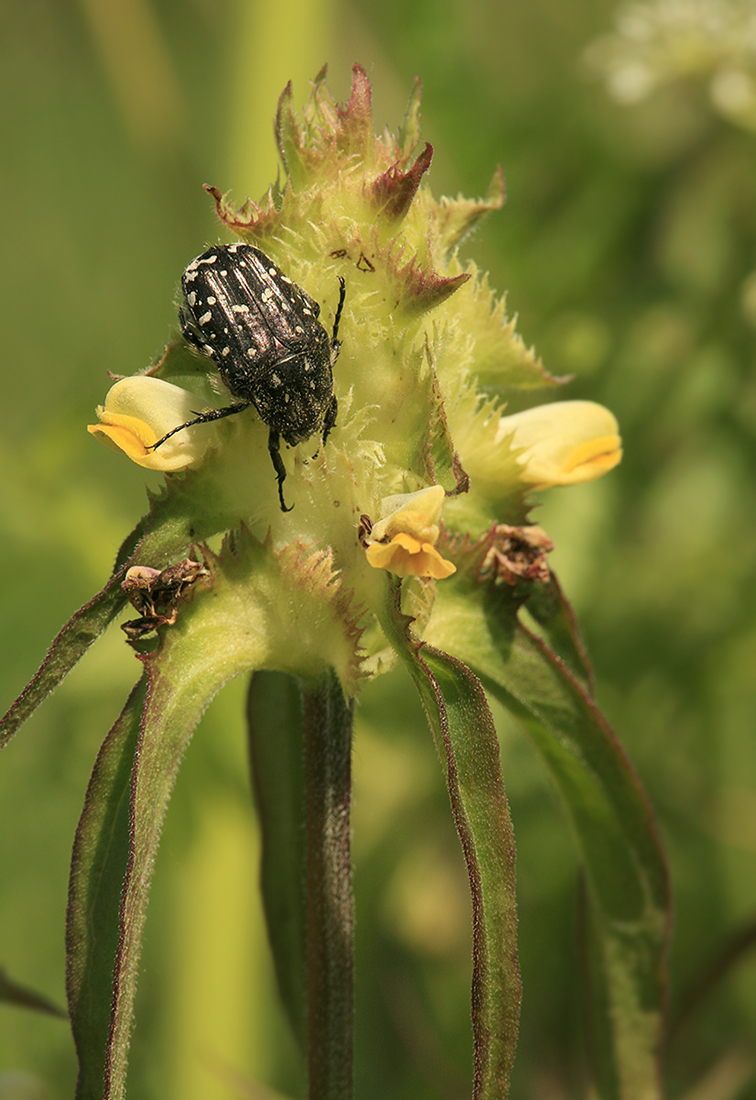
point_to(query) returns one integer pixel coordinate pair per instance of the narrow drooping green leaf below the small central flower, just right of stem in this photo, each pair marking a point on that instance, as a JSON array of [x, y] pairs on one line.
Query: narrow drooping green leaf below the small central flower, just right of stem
[[467, 744]]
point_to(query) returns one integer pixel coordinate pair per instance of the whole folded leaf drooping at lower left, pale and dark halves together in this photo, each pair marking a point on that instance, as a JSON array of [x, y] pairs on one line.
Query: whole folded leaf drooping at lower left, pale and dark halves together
[[117, 843]]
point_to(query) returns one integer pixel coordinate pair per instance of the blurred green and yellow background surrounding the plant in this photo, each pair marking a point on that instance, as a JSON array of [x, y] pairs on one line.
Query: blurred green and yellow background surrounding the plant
[[628, 247]]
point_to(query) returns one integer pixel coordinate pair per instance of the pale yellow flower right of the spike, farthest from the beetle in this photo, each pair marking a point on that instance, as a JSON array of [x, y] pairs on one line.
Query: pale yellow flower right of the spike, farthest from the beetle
[[565, 443]]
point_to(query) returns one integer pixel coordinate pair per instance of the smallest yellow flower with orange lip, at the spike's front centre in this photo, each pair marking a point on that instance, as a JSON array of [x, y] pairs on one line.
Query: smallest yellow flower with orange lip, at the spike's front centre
[[403, 541]]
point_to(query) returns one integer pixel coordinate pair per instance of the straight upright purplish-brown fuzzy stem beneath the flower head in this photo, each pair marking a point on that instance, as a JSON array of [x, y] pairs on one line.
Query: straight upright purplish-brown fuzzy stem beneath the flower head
[[330, 949]]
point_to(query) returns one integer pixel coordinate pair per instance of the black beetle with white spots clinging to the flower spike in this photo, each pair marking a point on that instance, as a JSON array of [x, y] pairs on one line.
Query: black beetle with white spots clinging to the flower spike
[[262, 333]]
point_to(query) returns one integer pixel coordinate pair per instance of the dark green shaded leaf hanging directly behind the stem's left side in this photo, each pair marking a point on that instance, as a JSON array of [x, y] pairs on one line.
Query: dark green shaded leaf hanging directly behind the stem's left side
[[277, 744]]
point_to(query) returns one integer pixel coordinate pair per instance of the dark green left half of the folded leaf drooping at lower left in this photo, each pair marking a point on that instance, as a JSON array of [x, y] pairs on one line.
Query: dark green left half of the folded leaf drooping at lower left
[[102, 852]]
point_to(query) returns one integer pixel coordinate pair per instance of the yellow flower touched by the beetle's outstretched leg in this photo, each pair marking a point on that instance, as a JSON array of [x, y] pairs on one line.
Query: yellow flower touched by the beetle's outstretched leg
[[140, 411]]
